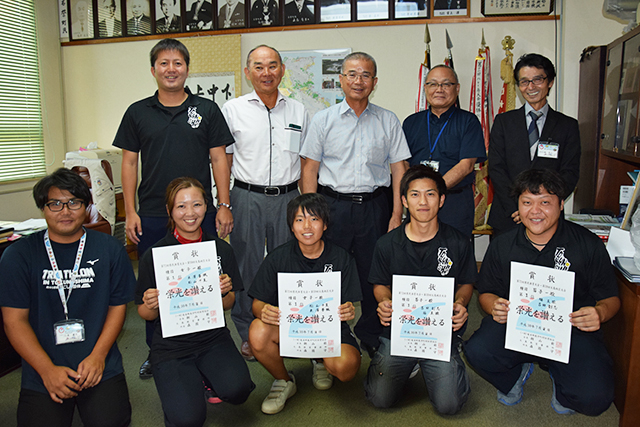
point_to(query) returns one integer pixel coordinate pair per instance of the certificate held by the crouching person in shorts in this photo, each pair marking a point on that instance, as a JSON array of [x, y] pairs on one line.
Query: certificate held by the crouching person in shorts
[[309, 320]]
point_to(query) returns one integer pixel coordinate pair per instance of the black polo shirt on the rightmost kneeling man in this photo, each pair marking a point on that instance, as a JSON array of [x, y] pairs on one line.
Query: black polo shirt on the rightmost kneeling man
[[573, 244]]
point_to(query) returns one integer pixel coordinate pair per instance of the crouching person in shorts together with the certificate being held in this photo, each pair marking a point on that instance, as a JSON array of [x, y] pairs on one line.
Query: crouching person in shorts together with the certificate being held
[[308, 217]]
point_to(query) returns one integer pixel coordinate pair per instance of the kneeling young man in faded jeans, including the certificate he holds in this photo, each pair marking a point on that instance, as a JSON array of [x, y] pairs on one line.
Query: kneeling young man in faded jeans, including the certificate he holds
[[436, 261]]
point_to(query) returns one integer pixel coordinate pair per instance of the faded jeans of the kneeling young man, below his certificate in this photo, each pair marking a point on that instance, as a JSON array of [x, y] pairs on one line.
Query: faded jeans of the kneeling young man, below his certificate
[[447, 382]]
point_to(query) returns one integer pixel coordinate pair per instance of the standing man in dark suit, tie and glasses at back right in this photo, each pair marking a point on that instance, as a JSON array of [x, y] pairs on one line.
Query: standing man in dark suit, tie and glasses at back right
[[532, 137]]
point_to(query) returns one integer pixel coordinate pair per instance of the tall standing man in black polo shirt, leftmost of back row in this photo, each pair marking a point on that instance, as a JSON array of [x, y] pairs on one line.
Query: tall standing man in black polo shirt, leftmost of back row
[[177, 134]]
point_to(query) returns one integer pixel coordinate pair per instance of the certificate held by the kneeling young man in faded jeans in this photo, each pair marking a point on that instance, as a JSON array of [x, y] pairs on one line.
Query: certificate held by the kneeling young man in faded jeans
[[421, 320]]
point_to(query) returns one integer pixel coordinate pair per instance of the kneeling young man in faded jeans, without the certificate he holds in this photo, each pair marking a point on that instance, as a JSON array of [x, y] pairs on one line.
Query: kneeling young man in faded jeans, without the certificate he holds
[[422, 246]]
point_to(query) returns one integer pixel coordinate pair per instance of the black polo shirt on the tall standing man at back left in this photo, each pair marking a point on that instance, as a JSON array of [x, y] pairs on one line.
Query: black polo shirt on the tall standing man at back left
[[172, 142]]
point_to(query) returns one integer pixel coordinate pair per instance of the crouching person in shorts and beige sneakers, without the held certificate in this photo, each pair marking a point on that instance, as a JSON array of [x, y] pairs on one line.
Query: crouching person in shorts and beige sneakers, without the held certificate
[[308, 217]]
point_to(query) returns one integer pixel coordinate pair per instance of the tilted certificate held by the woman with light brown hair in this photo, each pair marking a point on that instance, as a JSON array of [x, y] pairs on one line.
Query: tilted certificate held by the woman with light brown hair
[[189, 283]]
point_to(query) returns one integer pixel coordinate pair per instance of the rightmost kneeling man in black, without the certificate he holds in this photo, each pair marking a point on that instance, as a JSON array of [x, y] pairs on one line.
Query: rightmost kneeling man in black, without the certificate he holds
[[544, 238]]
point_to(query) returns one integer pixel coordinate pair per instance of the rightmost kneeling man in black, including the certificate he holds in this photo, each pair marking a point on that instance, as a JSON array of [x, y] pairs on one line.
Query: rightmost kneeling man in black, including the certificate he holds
[[530, 308]]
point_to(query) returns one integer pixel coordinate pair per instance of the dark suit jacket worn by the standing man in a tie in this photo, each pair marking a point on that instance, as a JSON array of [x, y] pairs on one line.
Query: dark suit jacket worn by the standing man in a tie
[[509, 155]]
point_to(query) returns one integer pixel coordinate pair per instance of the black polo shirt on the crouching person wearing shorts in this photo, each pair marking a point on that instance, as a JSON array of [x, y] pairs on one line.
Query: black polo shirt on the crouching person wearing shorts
[[289, 259]]
